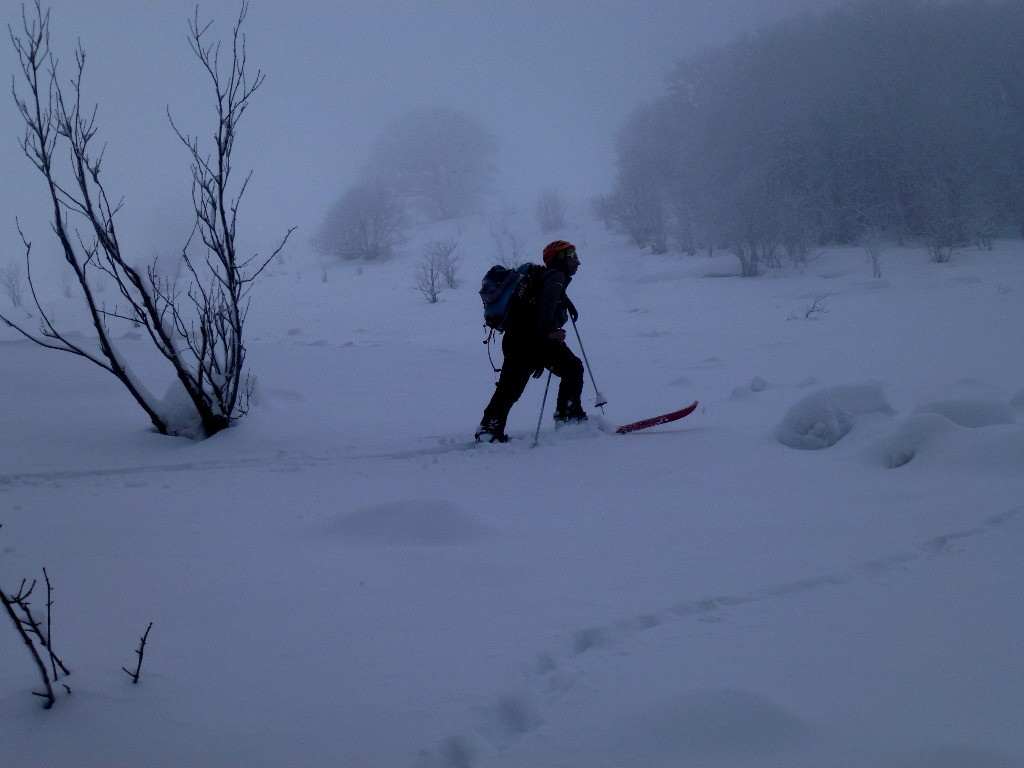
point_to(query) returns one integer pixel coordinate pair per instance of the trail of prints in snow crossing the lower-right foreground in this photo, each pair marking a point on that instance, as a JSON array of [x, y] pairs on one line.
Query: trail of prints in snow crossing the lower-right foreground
[[513, 715]]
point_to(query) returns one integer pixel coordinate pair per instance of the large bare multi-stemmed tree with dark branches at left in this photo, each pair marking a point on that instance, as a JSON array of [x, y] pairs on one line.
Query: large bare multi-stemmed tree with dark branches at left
[[197, 328]]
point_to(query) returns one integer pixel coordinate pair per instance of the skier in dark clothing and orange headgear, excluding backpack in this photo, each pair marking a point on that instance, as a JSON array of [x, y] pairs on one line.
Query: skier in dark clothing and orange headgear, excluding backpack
[[535, 342]]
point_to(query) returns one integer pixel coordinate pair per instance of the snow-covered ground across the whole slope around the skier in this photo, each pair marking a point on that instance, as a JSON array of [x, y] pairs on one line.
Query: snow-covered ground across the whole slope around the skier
[[822, 567]]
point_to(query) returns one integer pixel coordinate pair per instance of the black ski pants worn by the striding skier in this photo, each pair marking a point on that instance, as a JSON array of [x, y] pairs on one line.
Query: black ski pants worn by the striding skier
[[523, 359]]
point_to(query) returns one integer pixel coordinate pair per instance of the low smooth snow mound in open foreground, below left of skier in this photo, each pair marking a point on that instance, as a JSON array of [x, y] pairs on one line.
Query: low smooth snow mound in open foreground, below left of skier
[[421, 523]]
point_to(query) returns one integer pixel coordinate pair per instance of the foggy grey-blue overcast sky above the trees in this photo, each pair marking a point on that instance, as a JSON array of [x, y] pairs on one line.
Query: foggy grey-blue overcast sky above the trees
[[552, 80]]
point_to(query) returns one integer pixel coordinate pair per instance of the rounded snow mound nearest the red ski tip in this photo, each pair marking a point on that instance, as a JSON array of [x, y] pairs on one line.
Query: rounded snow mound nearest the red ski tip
[[824, 418]]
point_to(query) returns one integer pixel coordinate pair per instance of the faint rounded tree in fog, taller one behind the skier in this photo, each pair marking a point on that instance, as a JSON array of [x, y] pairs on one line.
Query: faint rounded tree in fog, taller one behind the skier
[[442, 160]]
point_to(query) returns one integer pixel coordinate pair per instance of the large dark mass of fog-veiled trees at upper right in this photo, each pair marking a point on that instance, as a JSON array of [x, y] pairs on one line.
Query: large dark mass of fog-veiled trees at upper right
[[892, 120]]
